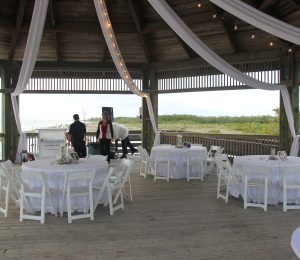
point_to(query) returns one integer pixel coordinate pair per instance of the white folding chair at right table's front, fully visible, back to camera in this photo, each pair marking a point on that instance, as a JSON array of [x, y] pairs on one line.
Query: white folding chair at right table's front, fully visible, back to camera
[[256, 177]]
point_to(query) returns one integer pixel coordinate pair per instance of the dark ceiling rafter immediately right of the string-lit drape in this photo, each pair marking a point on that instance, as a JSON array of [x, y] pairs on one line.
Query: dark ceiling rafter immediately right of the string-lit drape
[[137, 20]]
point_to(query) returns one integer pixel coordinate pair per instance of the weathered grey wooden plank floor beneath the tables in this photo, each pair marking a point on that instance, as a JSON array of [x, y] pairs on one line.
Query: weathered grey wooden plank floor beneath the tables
[[175, 220]]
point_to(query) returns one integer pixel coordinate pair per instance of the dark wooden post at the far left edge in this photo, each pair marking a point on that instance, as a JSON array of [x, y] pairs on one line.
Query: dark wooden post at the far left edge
[[11, 139]]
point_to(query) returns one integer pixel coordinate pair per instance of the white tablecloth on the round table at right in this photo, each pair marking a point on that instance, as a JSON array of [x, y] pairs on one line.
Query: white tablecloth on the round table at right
[[275, 178]]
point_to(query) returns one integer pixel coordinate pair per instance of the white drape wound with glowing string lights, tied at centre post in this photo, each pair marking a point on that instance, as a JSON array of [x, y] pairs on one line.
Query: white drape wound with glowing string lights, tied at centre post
[[116, 55]]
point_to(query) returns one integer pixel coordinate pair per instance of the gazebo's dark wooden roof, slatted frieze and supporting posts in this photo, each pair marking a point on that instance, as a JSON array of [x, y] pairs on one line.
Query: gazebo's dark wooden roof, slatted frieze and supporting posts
[[73, 56]]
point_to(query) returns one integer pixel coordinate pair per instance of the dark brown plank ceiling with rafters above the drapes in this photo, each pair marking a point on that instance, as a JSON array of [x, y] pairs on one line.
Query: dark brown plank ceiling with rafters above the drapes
[[72, 31]]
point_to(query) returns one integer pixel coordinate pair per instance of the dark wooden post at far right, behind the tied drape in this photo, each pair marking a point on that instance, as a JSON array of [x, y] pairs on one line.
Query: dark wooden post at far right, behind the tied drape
[[288, 70]]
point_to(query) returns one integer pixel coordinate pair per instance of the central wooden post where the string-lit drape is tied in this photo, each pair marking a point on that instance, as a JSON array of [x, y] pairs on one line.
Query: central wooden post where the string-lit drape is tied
[[150, 86]]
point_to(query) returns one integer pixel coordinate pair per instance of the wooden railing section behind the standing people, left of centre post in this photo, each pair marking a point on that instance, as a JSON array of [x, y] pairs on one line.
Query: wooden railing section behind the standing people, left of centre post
[[32, 140]]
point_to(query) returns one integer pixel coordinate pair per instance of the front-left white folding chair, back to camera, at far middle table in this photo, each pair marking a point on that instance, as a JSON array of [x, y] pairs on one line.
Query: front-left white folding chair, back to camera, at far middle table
[[161, 160]]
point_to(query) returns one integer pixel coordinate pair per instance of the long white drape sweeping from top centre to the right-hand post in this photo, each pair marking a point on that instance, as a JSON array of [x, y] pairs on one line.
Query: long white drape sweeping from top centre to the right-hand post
[[190, 38]]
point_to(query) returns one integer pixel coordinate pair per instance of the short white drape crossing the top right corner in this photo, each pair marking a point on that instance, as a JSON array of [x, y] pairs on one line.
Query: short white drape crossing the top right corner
[[260, 19]]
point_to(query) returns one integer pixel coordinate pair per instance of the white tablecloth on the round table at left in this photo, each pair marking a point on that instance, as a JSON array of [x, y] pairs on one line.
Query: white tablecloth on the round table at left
[[55, 175]]
